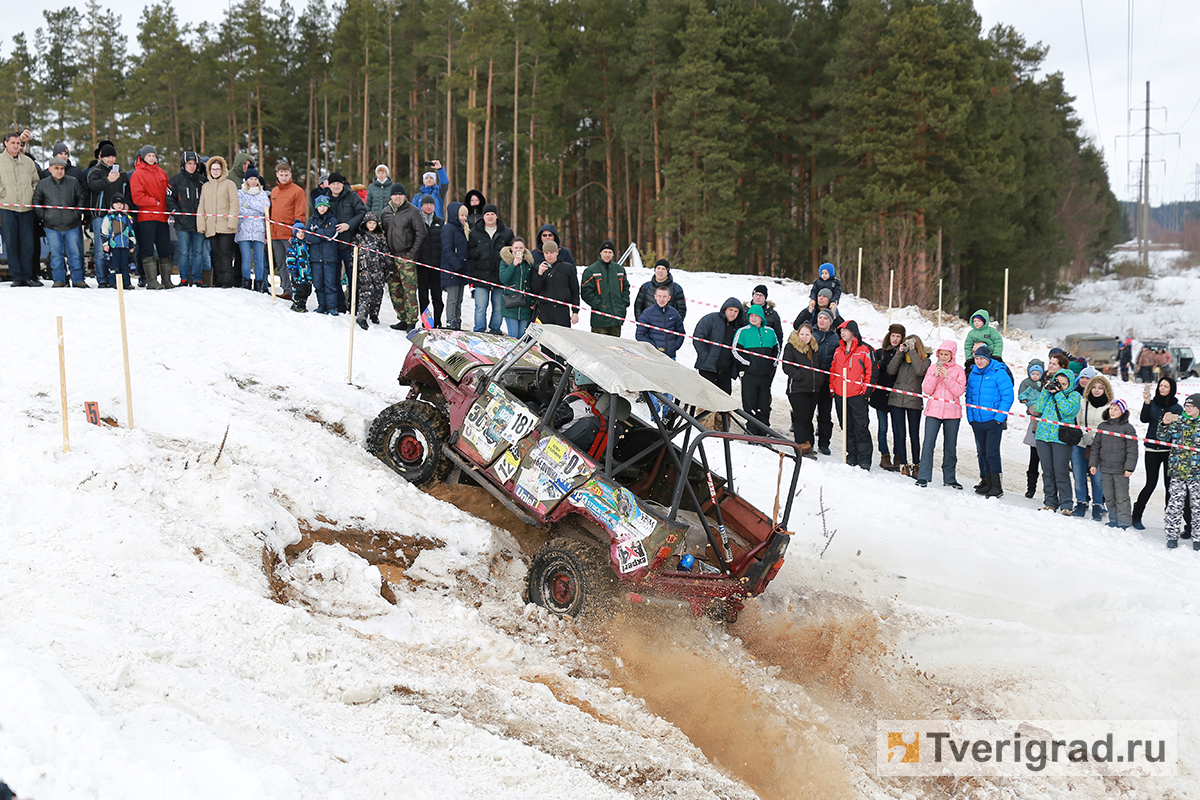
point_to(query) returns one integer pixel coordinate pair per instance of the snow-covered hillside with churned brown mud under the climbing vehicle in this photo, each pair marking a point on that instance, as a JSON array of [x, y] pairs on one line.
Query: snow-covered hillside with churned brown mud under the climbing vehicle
[[146, 652]]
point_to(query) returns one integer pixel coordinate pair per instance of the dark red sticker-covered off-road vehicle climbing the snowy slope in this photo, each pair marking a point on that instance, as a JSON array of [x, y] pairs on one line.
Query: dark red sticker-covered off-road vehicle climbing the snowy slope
[[639, 507]]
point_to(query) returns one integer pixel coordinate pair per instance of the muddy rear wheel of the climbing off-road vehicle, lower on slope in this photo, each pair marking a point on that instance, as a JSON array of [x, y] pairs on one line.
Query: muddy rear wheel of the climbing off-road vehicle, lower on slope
[[571, 578]]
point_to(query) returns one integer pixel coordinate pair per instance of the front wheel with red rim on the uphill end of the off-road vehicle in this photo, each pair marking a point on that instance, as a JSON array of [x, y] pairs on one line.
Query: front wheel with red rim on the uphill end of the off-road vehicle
[[409, 438]]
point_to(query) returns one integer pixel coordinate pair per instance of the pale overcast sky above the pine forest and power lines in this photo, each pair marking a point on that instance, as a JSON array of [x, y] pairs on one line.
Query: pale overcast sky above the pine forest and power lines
[[1165, 38]]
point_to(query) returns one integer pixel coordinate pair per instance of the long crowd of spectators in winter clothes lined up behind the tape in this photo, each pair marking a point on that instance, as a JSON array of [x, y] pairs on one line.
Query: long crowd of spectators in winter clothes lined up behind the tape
[[225, 219]]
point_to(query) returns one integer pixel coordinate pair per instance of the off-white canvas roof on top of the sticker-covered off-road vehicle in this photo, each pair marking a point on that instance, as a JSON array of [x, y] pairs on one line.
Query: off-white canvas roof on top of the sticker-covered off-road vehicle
[[629, 368]]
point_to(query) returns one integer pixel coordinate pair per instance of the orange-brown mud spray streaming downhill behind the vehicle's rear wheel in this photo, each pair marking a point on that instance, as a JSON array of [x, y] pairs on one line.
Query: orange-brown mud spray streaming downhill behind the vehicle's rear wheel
[[747, 731]]
